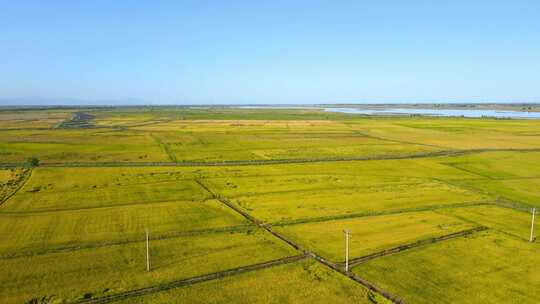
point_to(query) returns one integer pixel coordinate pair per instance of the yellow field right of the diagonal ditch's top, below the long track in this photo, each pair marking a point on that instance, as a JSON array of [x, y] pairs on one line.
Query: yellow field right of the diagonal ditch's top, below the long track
[[246, 180]]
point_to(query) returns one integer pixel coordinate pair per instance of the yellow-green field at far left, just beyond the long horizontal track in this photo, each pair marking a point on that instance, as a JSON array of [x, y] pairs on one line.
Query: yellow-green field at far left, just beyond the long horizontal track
[[79, 145]]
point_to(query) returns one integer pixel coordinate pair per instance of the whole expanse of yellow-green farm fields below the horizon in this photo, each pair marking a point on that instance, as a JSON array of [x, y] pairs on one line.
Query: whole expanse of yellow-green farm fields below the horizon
[[250, 205]]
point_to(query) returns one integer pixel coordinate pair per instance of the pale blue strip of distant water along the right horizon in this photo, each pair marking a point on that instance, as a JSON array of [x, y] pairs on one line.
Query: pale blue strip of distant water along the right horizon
[[439, 112]]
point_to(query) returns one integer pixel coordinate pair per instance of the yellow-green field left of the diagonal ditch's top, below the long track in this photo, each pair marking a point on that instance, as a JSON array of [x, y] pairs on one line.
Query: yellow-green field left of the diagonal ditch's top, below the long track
[[81, 188]]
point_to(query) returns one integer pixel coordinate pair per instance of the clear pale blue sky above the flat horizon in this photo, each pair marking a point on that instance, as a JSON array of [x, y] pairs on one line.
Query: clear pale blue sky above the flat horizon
[[278, 52]]
